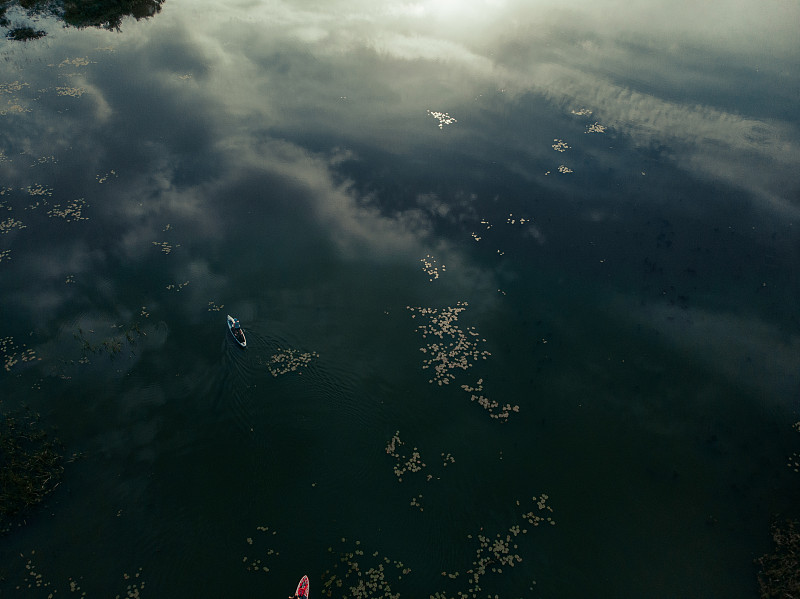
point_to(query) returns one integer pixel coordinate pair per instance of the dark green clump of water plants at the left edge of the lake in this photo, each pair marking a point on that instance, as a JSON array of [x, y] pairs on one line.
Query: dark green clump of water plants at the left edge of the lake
[[31, 464]]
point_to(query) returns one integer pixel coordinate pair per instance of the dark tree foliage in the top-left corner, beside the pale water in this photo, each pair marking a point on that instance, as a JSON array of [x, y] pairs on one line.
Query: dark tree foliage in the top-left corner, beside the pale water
[[107, 14]]
